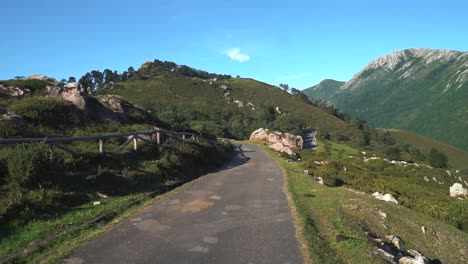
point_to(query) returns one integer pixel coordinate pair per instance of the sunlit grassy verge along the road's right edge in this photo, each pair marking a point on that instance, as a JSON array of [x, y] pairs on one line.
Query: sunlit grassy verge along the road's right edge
[[335, 223]]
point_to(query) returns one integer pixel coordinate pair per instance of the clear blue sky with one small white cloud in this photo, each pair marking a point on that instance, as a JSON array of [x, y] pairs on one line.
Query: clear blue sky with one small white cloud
[[294, 42]]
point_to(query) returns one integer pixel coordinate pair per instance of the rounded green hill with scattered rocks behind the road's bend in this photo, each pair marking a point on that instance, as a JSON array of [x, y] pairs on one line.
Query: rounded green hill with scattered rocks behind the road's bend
[[228, 107]]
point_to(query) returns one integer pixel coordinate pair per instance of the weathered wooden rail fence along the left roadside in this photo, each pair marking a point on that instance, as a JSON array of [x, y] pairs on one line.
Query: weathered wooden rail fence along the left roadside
[[155, 135]]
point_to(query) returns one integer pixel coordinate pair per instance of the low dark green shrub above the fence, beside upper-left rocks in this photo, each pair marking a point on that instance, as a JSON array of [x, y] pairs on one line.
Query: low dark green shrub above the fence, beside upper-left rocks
[[47, 111]]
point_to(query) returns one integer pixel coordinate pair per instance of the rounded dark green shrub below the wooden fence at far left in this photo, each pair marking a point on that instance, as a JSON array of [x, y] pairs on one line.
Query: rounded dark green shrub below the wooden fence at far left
[[30, 166]]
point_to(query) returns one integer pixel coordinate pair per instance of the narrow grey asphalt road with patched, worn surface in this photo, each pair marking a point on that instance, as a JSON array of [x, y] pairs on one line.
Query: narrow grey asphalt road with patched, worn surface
[[239, 214]]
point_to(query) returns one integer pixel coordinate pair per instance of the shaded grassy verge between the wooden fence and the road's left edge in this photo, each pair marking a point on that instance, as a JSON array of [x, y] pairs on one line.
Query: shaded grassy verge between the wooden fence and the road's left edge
[[33, 233]]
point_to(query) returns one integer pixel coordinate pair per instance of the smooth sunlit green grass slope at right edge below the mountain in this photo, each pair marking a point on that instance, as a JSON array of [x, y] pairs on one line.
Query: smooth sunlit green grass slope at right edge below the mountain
[[457, 158]]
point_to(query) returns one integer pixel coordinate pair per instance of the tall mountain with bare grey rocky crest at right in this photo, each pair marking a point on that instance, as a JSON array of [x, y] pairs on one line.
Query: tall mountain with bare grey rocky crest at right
[[420, 90]]
